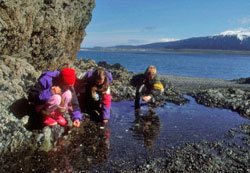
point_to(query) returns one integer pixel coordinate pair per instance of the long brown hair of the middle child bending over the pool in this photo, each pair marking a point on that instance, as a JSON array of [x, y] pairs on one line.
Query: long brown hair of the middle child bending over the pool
[[100, 74]]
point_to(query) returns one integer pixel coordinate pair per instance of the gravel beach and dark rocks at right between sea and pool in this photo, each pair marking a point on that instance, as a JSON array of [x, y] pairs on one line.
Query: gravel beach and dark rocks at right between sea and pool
[[227, 94]]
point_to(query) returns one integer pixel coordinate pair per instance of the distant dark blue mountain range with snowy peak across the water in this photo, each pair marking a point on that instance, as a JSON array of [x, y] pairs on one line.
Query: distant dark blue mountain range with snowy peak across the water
[[229, 40]]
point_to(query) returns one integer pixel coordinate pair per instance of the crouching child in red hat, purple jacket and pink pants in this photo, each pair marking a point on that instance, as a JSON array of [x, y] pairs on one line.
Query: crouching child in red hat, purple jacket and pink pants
[[53, 95]]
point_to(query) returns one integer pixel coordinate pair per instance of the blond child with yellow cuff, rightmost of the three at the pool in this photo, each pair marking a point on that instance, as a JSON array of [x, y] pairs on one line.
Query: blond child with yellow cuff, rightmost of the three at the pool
[[148, 85]]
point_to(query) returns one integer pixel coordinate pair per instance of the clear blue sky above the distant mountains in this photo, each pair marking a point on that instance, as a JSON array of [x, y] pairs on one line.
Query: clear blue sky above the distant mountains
[[137, 22]]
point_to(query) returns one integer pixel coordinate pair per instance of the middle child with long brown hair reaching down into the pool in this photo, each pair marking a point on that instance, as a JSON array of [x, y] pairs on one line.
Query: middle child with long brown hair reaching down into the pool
[[95, 98]]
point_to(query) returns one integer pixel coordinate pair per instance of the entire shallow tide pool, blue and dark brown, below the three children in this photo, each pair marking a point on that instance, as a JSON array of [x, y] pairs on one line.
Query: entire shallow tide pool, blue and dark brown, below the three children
[[131, 139]]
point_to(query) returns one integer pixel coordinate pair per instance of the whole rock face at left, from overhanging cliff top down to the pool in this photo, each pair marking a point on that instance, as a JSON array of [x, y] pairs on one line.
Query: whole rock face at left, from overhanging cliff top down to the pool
[[35, 35]]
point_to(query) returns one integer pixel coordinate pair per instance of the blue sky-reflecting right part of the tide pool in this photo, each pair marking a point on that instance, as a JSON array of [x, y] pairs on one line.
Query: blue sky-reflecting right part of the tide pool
[[173, 125]]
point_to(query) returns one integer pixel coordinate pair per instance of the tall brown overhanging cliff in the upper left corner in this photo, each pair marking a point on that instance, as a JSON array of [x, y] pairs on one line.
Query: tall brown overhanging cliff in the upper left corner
[[48, 33]]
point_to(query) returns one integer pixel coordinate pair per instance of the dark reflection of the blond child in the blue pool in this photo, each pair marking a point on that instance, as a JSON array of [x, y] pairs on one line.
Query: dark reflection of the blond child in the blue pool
[[146, 125]]
